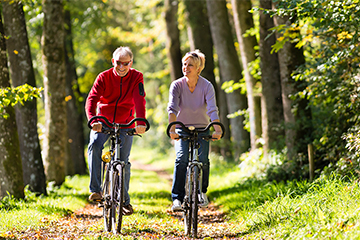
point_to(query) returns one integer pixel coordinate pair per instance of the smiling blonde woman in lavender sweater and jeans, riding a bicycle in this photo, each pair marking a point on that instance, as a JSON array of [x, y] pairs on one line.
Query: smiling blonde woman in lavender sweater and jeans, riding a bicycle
[[191, 101]]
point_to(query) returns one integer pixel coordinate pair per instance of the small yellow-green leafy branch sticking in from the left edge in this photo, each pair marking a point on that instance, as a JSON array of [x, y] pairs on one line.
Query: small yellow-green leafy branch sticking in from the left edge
[[12, 96]]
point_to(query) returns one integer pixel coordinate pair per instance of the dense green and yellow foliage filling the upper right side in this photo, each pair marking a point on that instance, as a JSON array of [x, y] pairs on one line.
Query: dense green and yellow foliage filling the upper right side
[[327, 31]]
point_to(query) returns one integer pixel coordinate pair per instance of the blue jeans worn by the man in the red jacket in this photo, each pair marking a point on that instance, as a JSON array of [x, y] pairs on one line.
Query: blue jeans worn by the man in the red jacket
[[95, 147]]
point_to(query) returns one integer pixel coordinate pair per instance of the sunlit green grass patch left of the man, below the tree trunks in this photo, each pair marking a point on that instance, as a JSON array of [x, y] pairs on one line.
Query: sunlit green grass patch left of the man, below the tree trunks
[[32, 211]]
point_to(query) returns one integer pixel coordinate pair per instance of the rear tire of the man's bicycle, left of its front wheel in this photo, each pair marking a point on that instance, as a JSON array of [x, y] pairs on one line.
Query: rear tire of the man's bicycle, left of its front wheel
[[107, 200]]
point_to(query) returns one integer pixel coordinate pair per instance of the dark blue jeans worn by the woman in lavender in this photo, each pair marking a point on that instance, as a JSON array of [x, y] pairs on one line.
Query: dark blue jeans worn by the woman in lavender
[[181, 163]]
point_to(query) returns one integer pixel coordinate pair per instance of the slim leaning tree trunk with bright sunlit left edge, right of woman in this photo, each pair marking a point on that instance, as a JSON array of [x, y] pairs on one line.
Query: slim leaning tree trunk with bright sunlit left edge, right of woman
[[244, 21]]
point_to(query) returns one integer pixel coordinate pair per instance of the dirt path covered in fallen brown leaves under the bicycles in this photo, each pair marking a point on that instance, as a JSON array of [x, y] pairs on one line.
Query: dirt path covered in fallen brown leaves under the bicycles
[[88, 222]]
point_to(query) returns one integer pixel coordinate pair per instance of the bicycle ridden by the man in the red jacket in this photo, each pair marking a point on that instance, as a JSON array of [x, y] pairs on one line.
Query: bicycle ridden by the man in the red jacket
[[112, 183]]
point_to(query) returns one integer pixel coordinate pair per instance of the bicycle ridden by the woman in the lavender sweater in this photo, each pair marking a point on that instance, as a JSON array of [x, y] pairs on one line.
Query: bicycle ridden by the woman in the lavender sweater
[[193, 183]]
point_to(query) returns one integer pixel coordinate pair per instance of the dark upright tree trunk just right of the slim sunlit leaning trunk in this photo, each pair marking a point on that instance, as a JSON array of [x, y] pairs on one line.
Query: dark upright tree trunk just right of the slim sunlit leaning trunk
[[272, 108]]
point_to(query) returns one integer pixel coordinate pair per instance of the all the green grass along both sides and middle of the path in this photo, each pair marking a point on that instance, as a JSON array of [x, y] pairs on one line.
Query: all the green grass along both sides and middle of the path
[[328, 208]]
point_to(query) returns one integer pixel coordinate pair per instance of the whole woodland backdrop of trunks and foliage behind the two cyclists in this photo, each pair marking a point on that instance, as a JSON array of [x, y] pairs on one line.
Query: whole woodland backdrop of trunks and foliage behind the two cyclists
[[286, 75]]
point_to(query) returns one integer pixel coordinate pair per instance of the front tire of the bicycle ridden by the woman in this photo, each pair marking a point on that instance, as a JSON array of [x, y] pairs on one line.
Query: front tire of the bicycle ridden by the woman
[[194, 201]]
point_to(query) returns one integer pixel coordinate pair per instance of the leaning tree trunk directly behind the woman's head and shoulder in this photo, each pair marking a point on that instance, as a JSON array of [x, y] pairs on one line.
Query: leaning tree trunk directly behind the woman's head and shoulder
[[200, 38]]
